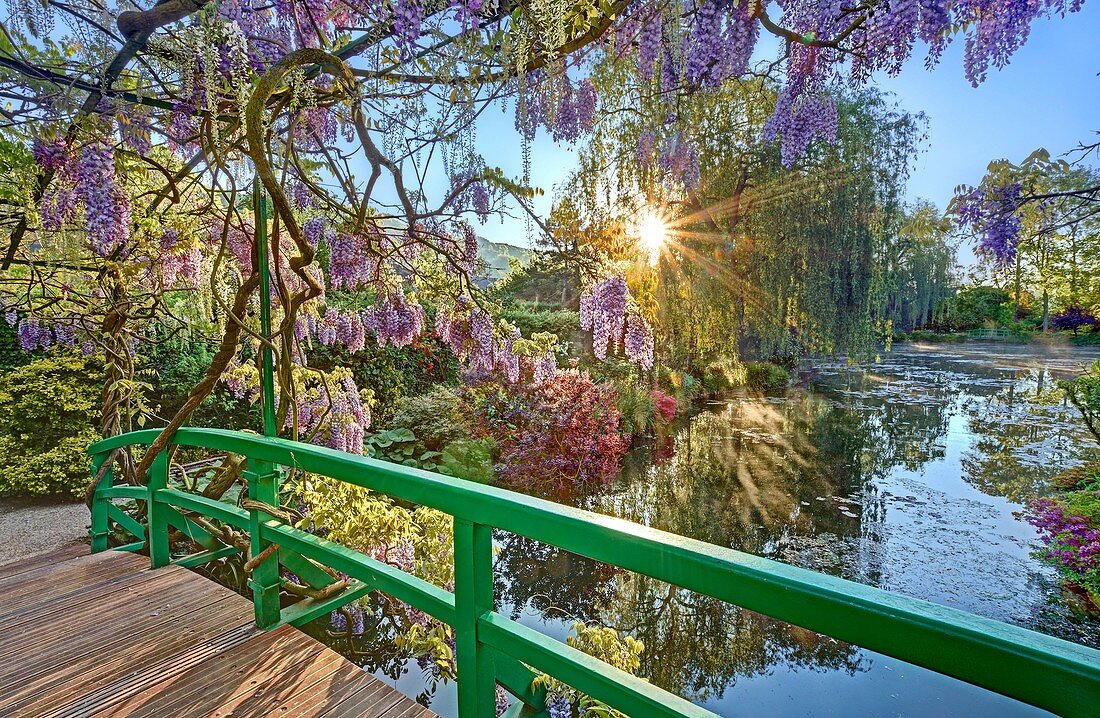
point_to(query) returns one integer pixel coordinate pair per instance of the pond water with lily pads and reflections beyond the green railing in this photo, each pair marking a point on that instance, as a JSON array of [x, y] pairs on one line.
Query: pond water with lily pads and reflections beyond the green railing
[[907, 474]]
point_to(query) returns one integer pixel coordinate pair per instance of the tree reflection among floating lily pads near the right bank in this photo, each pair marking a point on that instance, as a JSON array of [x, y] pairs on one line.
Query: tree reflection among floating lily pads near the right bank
[[1022, 435]]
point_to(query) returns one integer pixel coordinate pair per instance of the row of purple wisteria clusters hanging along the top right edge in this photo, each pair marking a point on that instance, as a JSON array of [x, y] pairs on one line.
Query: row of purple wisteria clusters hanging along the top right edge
[[700, 45]]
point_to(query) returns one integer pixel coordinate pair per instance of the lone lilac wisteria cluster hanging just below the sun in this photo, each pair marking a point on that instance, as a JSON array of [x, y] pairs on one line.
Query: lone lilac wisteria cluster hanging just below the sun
[[606, 312]]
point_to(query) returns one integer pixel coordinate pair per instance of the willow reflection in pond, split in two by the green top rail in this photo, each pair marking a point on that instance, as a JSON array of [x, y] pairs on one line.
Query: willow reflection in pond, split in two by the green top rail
[[747, 478]]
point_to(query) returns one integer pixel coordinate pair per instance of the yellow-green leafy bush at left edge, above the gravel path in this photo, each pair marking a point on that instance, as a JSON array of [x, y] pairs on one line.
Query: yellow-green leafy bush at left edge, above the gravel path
[[48, 424]]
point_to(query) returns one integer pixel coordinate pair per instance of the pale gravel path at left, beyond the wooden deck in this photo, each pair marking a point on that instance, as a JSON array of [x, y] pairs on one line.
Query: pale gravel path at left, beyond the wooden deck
[[31, 527]]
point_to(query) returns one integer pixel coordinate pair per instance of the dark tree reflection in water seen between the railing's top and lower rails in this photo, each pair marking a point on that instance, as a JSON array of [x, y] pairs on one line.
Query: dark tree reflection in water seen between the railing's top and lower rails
[[696, 646]]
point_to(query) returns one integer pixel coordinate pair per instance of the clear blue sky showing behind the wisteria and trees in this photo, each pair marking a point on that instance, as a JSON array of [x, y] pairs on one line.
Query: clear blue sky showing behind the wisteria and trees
[[1048, 97]]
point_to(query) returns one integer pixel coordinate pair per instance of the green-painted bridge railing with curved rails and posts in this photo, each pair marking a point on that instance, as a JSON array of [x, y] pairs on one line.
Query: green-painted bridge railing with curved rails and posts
[[1040, 670]]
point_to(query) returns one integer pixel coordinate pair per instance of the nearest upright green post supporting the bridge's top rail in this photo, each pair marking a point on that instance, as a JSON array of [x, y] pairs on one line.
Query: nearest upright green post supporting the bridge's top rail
[[474, 599]]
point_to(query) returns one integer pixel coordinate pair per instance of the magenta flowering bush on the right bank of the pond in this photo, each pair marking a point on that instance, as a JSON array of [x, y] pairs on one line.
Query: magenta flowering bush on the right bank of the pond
[[1071, 531]]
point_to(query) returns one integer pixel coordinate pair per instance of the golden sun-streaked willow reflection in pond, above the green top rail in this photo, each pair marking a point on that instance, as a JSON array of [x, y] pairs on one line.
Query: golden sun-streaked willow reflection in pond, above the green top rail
[[761, 476]]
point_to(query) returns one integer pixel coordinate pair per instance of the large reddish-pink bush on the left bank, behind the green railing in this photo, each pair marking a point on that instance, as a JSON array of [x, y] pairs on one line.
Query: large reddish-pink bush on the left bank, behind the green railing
[[555, 436]]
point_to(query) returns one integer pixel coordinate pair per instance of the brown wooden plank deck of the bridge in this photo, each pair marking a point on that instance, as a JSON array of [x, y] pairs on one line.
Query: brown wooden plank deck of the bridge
[[103, 635]]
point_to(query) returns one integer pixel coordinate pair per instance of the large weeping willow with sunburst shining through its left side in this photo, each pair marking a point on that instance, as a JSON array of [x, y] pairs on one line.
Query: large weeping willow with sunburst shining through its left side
[[764, 259]]
